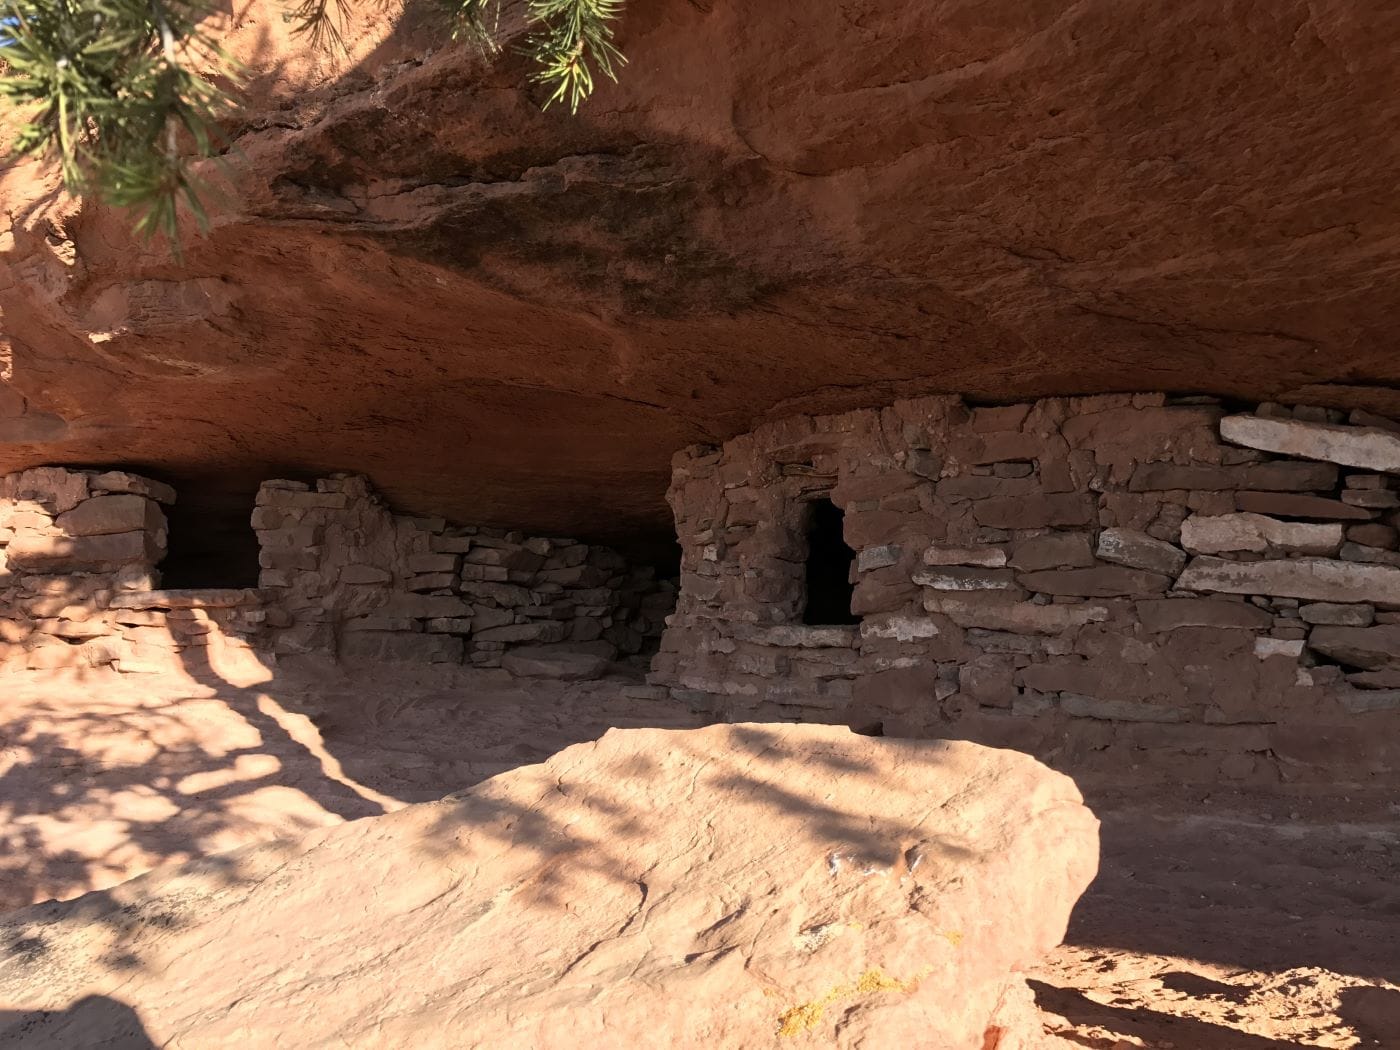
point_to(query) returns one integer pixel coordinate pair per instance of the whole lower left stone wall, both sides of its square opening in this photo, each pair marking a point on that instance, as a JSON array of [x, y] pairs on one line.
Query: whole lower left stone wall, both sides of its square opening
[[341, 575]]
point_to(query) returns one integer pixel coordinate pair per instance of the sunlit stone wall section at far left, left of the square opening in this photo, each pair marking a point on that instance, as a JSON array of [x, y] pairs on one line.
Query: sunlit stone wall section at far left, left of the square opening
[[79, 554]]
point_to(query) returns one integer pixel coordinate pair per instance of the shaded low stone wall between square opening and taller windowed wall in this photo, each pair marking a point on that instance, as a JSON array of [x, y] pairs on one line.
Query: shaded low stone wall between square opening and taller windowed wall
[[344, 573]]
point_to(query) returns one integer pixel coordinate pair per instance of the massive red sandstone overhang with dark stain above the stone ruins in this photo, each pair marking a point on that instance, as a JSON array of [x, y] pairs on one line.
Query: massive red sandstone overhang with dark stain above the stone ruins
[[516, 317]]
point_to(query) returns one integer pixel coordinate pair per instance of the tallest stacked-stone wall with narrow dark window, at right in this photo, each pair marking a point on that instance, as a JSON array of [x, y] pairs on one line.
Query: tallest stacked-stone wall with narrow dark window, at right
[[1122, 584]]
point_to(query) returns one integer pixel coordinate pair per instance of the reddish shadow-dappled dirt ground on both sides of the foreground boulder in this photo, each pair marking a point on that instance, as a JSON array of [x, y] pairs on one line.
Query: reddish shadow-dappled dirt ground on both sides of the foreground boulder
[[1219, 922]]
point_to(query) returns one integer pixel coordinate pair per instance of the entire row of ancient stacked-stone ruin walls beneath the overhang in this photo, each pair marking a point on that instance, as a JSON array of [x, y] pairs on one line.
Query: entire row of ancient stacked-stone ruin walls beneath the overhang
[[1128, 583]]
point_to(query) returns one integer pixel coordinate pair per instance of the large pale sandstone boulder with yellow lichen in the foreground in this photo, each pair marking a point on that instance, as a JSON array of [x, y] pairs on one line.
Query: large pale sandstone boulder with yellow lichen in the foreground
[[729, 887]]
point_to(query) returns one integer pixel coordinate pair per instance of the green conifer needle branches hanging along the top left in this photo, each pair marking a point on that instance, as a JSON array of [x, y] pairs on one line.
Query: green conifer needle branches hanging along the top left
[[125, 93]]
